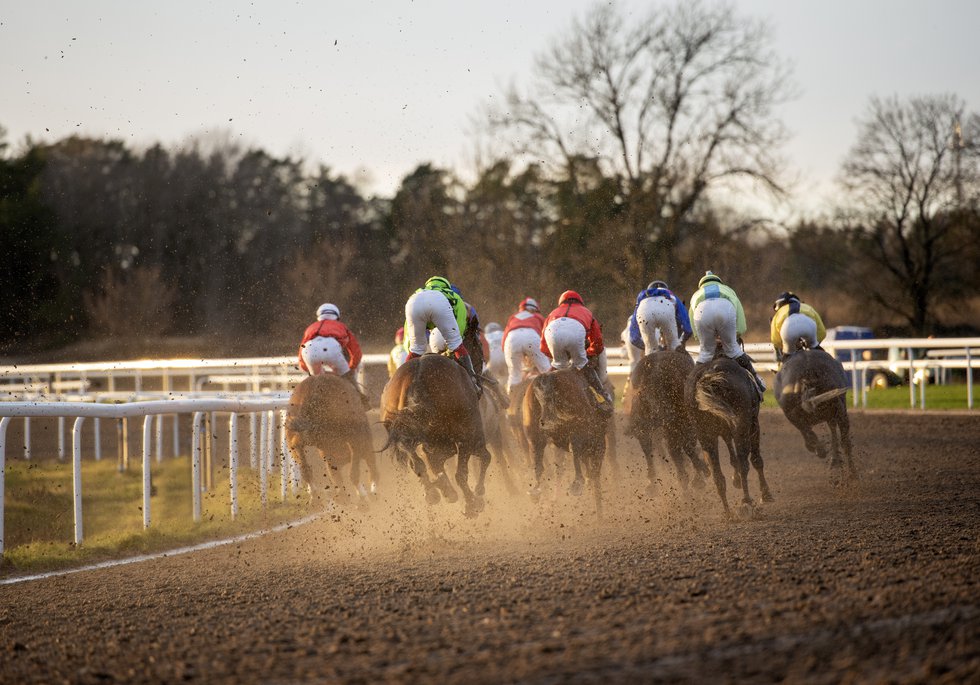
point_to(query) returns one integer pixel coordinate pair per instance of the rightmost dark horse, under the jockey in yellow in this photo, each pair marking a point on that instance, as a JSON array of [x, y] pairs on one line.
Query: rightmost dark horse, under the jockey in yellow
[[810, 387]]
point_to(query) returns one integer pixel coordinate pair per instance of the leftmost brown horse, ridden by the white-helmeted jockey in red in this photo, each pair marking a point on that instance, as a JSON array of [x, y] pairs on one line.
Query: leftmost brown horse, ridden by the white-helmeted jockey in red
[[325, 415]]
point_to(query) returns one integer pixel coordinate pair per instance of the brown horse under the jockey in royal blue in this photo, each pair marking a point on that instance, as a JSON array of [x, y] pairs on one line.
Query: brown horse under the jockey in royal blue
[[657, 408]]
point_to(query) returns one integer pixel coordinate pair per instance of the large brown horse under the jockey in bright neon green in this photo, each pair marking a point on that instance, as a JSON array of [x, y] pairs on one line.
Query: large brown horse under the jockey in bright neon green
[[431, 402]]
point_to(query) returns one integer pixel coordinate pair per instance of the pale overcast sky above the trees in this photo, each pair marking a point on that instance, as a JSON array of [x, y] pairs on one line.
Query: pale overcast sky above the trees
[[372, 89]]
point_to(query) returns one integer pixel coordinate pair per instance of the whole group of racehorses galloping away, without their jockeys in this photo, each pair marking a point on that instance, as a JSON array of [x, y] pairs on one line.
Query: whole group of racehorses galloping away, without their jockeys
[[433, 413]]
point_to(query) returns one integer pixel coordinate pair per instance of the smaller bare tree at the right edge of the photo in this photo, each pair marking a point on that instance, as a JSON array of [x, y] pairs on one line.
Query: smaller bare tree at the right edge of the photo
[[913, 181]]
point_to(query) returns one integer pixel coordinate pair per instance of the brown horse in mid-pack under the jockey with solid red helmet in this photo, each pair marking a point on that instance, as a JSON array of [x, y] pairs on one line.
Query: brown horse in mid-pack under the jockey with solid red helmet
[[557, 408]]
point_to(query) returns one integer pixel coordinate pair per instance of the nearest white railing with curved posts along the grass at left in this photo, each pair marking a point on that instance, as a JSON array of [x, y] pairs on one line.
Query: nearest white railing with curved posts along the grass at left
[[148, 410]]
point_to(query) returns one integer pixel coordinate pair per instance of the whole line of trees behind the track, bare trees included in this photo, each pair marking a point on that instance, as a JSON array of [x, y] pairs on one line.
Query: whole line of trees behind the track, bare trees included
[[608, 169]]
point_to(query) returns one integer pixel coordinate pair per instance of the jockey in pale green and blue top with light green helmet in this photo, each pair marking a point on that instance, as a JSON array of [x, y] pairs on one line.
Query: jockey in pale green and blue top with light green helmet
[[719, 317]]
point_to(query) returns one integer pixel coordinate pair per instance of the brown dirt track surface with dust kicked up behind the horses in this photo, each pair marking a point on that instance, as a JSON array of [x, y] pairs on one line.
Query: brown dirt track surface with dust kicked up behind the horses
[[876, 582]]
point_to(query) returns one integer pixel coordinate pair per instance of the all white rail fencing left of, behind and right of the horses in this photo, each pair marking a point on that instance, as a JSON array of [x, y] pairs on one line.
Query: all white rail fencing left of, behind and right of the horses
[[153, 389]]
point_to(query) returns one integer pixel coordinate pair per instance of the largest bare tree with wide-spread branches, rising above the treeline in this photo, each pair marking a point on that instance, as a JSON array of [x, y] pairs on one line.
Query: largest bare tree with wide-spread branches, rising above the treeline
[[672, 105]]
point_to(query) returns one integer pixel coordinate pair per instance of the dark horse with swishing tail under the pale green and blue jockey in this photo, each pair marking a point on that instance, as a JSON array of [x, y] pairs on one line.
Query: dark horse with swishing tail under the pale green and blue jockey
[[726, 405]]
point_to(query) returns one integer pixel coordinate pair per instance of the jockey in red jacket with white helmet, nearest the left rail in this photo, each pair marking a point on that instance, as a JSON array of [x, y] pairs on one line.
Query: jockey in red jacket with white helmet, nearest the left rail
[[327, 342]]
